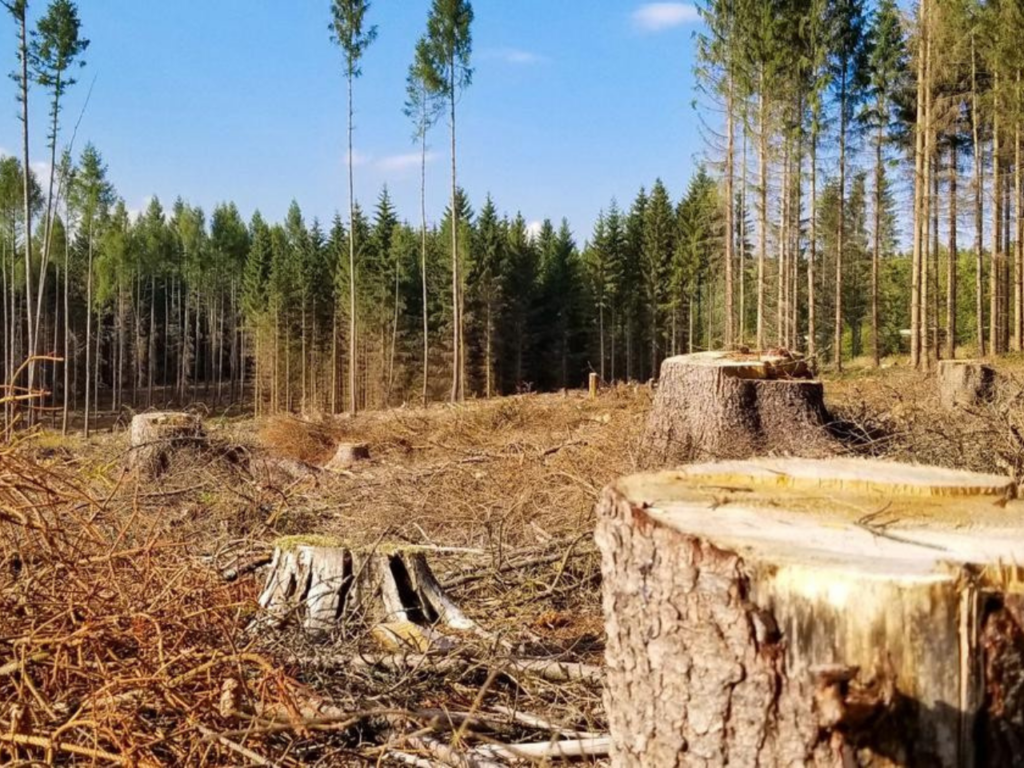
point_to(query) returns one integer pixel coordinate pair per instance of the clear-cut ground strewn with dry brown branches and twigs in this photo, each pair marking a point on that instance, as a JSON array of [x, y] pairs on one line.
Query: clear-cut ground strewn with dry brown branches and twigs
[[121, 635]]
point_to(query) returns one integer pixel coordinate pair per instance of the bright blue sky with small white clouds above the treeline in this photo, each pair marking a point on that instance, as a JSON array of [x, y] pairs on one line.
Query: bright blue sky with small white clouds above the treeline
[[573, 102]]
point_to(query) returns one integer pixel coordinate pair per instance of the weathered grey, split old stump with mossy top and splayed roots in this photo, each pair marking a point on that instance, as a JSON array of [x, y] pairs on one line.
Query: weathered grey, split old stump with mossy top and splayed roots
[[322, 584]]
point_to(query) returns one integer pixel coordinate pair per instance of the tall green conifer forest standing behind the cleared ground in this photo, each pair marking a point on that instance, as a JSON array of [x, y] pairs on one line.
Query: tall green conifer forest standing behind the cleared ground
[[859, 196]]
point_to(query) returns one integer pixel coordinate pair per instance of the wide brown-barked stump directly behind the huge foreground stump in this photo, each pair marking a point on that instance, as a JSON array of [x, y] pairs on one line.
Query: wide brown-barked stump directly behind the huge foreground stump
[[734, 406]]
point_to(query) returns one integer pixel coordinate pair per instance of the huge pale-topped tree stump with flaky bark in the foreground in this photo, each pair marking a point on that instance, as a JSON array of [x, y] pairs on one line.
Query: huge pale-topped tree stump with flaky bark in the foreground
[[786, 613]]
